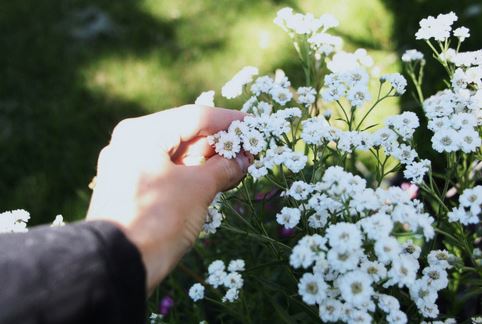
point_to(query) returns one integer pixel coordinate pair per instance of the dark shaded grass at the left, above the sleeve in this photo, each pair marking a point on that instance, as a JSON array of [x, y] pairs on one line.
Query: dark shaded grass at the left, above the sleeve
[[51, 126]]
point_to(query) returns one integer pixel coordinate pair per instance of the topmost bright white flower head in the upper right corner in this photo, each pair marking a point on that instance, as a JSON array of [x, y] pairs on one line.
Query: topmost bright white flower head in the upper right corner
[[437, 28]]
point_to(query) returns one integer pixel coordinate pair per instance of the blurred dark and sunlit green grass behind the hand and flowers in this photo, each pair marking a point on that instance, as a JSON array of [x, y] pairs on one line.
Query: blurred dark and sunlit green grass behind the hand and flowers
[[71, 69]]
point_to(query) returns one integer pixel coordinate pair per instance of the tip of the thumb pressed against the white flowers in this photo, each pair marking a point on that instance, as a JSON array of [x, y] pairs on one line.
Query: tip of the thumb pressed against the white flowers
[[225, 173]]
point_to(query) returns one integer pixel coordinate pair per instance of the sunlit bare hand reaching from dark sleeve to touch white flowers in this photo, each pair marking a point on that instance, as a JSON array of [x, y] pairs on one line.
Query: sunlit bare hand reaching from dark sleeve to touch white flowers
[[144, 186]]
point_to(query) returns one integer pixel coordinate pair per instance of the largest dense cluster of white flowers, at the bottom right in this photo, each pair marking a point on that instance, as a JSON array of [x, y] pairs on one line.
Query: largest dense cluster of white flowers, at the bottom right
[[359, 252]]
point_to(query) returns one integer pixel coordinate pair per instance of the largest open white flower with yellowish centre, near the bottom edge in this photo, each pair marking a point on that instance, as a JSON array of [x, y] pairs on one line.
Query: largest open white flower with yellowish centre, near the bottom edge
[[355, 288]]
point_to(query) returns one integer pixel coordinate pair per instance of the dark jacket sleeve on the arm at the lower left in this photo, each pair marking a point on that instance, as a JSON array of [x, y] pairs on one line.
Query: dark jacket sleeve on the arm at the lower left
[[87, 272]]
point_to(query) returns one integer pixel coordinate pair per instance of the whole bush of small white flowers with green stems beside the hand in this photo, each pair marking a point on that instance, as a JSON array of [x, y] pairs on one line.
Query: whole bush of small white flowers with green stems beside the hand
[[353, 247]]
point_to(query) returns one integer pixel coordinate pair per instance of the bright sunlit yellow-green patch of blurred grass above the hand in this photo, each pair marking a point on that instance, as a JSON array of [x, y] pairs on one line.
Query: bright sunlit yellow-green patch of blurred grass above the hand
[[211, 50]]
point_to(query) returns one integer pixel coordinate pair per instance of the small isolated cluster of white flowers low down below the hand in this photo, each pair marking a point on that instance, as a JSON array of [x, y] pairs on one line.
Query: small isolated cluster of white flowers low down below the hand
[[220, 276]]
